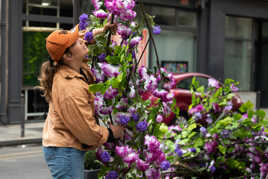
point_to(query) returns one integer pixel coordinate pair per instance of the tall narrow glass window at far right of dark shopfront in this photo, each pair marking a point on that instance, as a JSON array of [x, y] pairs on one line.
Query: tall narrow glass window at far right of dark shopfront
[[238, 51]]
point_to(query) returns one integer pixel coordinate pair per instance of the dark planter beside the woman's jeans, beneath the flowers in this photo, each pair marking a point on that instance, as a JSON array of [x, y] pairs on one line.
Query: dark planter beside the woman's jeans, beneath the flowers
[[92, 165]]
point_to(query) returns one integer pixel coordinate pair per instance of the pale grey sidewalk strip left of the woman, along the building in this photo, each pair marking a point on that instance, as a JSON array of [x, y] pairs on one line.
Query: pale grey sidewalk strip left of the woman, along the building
[[11, 134]]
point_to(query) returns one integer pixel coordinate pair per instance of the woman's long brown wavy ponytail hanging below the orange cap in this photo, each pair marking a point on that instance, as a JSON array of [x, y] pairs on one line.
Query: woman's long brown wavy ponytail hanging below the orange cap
[[47, 72]]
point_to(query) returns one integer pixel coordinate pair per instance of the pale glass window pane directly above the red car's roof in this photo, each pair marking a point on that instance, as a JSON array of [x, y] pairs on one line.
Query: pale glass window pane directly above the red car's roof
[[173, 45]]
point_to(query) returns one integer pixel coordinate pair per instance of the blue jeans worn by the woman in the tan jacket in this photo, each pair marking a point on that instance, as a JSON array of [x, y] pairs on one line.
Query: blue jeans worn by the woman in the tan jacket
[[64, 162]]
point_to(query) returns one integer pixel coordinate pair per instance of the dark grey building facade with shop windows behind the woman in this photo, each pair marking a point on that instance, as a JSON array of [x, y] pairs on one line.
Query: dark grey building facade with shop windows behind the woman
[[222, 38]]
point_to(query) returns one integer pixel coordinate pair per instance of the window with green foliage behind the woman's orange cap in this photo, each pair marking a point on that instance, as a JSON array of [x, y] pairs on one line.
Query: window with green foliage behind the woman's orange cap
[[41, 17]]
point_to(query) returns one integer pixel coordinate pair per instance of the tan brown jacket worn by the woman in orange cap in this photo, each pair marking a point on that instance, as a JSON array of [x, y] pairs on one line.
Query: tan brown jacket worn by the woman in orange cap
[[70, 121]]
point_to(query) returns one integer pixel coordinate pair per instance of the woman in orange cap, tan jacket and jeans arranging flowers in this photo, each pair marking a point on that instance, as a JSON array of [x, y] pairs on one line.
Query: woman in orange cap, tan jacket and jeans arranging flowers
[[70, 128]]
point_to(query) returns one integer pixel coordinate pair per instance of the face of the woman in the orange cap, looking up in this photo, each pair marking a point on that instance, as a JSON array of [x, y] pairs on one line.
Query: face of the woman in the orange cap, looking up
[[79, 50]]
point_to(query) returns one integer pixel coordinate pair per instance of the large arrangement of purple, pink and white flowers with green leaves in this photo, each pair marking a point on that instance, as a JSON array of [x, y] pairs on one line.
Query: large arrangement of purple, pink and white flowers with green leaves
[[216, 138]]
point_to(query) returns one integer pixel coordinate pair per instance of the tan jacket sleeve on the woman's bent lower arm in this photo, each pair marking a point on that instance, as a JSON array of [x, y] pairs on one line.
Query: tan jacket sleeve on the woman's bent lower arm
[[78, 116]]
